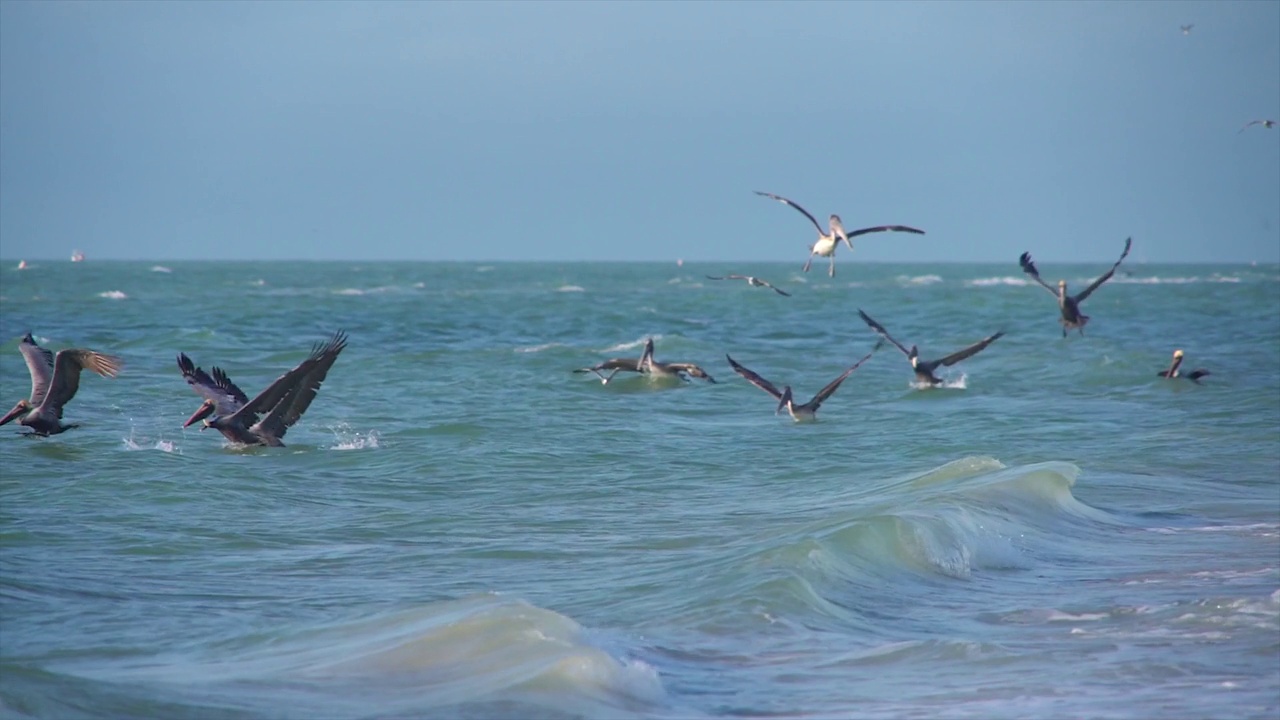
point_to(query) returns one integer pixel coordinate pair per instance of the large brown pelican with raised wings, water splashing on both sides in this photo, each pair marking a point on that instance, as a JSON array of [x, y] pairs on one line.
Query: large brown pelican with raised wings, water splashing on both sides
[[228, 411]]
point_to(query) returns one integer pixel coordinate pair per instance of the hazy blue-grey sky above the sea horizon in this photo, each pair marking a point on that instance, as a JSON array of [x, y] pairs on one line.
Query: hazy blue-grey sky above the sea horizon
[[638, 131]]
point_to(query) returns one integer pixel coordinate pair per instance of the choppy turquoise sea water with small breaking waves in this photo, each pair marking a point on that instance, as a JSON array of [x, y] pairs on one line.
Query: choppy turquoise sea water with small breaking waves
[[463, 527]]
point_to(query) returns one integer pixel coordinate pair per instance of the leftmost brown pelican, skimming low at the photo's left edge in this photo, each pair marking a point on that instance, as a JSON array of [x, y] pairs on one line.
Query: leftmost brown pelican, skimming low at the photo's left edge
[[54, 381]]
